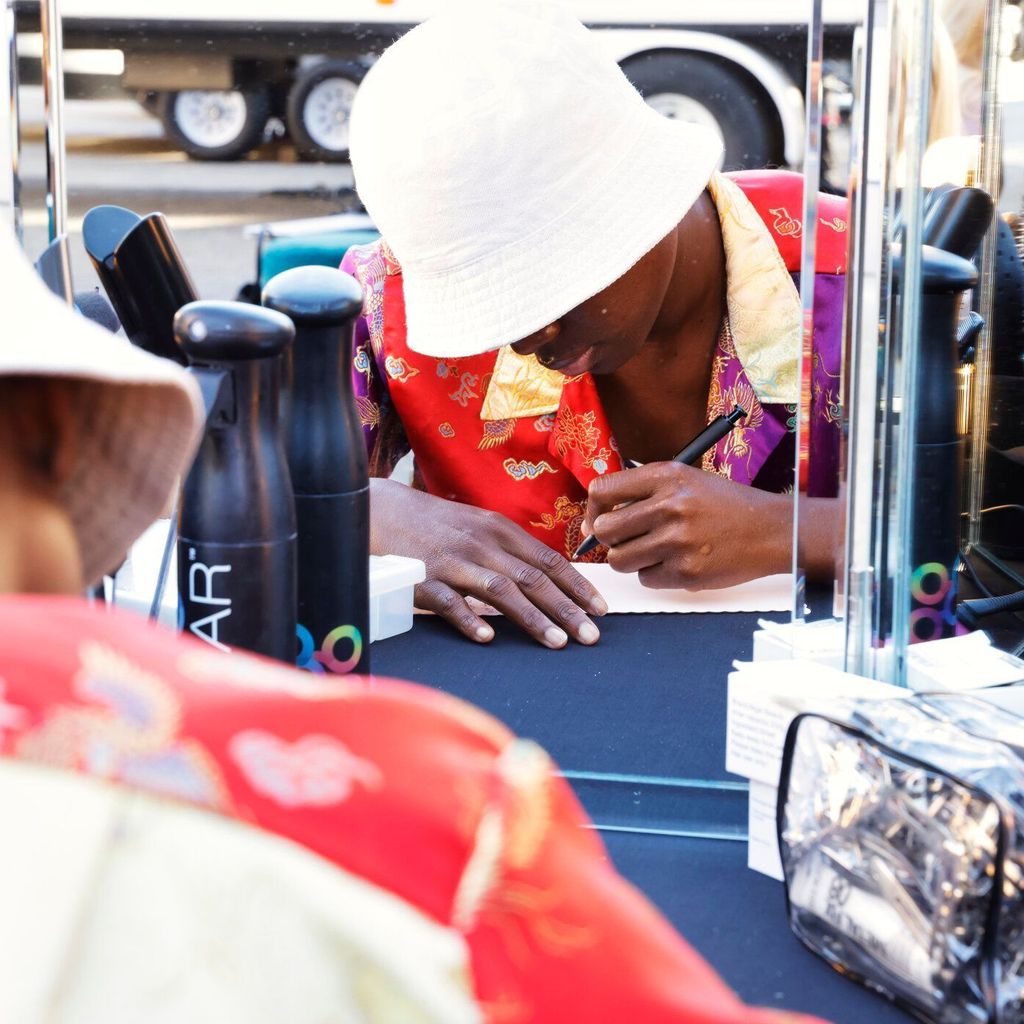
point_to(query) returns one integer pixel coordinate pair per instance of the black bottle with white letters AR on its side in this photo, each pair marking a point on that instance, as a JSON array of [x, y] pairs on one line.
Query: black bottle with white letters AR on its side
[[237, 543]]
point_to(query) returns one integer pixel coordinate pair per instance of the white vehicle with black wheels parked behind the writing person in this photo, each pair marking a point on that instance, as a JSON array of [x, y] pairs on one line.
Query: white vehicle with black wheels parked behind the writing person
[[219, 72]]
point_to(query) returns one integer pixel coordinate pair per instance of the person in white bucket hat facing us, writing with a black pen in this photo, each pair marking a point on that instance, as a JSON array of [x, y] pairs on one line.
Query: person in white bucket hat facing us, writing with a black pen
[[565, 287]]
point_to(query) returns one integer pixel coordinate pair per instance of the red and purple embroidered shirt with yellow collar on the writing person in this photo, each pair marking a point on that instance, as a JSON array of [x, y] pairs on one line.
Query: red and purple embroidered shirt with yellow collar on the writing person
[[501, 432]]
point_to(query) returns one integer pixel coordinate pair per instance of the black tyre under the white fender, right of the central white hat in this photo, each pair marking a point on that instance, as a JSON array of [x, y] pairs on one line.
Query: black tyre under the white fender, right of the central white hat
[[693, 88]]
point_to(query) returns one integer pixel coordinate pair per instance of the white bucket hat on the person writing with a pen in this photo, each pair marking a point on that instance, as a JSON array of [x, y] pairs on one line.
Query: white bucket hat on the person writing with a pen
[[515, 172]]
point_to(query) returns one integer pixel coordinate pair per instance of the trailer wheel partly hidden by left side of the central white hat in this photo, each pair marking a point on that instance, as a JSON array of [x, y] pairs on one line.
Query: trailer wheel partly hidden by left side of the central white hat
[[319, 109]]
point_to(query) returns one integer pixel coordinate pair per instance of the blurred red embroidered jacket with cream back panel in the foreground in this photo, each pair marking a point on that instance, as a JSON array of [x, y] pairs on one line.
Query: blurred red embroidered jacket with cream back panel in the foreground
[[474, 846]]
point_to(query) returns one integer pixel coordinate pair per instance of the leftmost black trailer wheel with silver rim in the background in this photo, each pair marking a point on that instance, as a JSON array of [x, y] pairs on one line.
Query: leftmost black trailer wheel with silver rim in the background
[[211, 125]]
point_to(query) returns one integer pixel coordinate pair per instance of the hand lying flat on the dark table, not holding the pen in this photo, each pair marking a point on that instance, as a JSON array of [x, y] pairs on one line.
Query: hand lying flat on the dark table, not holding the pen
[[473, 552]]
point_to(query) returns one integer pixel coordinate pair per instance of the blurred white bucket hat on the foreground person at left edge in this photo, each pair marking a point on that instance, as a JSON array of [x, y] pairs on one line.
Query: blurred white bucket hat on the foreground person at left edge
[[139, 417]]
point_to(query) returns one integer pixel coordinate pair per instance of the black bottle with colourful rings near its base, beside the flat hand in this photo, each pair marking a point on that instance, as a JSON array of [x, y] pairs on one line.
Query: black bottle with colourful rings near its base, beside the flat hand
[[328, 461]]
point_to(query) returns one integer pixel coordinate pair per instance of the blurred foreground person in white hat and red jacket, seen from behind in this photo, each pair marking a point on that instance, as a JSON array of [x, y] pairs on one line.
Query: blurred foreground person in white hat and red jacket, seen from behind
[[195, 836]]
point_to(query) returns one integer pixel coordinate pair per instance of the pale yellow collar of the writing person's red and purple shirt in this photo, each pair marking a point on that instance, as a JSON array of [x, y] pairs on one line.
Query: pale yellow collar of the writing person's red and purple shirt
[[764, 318]]
